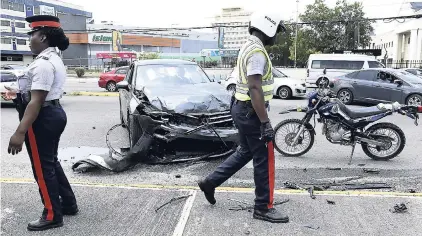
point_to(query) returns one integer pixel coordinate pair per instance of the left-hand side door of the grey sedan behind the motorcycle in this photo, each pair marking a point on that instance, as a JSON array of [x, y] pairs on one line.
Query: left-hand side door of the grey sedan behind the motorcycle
[[363, 83]]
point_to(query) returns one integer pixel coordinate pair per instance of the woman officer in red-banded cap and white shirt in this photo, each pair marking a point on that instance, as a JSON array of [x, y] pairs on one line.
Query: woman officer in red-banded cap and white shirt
[[42, 120]]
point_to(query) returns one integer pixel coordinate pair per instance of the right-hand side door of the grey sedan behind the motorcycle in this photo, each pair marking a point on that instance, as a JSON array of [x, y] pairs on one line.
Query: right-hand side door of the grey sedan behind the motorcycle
[[384, 89]]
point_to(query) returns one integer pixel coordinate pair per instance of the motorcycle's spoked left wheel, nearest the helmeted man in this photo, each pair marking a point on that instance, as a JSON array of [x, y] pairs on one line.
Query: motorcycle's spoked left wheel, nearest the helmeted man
[[288, 137]]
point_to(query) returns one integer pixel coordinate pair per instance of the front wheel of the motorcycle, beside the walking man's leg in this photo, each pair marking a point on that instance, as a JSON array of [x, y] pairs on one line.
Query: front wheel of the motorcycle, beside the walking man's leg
[[286, 131]]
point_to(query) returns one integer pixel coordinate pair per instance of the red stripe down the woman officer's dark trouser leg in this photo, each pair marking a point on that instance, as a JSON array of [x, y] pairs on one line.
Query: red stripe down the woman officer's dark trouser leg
[[39, 174]]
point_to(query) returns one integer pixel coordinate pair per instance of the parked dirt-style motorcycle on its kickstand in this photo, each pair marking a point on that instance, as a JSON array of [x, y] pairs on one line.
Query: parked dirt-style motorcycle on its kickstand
[[344, 125]]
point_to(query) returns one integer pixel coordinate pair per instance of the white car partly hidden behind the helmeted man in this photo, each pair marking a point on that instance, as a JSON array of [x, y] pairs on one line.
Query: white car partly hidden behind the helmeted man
[[285, 87]]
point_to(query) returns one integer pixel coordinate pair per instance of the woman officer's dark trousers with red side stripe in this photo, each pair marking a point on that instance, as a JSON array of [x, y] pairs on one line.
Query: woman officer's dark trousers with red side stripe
[[42, 142]]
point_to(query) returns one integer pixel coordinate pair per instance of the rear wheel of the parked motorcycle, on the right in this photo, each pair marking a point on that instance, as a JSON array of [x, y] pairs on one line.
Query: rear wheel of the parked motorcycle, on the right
[[372, 151]]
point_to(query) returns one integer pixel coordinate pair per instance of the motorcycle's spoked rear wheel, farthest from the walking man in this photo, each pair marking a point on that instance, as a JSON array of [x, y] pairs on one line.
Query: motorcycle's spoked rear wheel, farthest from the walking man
[[391, 135]]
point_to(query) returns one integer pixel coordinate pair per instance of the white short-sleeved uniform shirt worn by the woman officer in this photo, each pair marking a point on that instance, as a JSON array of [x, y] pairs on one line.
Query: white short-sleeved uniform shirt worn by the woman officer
[[47, 72]]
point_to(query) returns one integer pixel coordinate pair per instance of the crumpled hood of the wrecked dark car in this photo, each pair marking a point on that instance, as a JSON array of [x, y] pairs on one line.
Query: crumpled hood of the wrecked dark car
[[190, 98]]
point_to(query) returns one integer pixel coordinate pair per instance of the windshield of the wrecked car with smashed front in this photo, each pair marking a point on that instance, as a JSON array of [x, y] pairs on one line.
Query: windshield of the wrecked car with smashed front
[[169, 75]]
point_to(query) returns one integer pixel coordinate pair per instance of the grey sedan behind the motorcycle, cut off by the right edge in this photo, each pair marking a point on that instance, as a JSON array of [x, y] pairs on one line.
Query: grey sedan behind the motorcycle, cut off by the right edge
[[379, 85]]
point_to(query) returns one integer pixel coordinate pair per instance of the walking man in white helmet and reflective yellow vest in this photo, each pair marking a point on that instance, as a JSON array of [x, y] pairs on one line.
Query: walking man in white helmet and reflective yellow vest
[[253, 92]]
